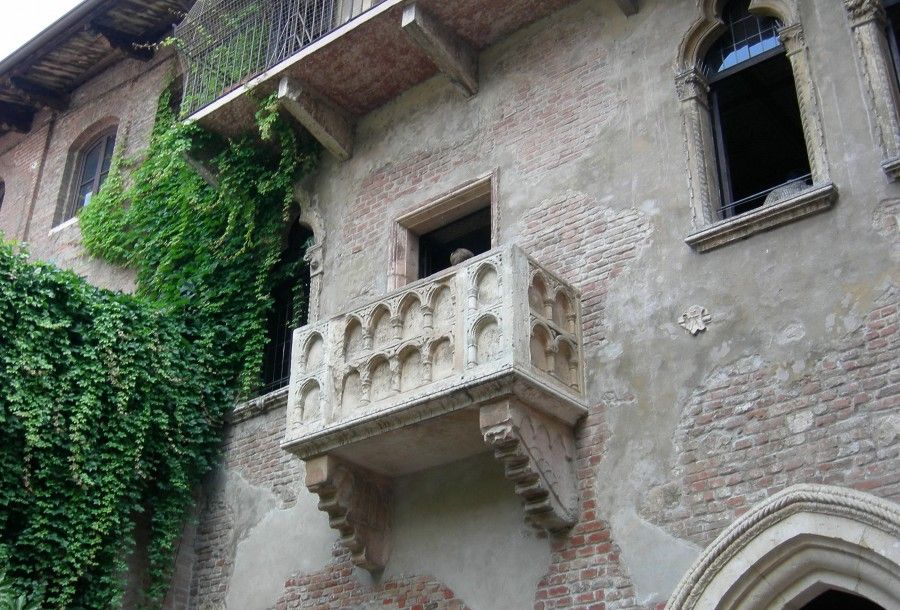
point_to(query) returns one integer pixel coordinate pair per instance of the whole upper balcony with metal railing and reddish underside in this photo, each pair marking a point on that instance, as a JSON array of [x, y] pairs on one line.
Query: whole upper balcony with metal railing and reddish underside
[[334, 60]]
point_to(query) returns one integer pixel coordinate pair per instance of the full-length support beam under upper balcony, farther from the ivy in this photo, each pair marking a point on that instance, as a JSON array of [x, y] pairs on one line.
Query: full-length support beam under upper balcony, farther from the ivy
[[452, 55]]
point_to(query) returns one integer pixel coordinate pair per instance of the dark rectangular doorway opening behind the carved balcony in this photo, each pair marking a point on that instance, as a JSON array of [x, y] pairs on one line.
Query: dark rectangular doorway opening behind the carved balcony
[[472, 233]]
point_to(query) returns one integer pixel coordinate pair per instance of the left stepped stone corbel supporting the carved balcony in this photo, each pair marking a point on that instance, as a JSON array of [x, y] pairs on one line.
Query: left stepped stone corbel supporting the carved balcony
[[358, 504]]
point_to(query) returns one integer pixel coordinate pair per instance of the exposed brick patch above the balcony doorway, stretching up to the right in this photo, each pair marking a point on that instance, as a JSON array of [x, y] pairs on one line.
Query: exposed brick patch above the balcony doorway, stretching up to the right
[[546, 120]]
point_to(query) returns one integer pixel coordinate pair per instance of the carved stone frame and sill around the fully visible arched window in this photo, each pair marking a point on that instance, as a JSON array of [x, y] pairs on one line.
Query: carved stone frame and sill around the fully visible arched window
[[708, 230]]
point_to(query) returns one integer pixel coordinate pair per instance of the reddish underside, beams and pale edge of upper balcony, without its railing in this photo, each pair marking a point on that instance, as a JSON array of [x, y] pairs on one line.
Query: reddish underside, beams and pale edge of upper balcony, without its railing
[[373, 57]]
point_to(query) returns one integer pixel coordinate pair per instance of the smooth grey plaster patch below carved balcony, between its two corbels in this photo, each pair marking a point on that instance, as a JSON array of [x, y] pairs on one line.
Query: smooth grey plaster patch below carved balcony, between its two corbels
[[463, 524]]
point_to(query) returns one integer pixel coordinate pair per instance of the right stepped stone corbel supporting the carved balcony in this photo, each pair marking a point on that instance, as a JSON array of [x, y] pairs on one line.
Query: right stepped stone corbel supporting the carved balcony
[[538, 455]]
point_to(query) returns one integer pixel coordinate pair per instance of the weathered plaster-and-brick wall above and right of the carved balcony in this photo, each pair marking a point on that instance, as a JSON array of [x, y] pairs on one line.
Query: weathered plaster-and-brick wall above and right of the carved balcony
[[580, 115]]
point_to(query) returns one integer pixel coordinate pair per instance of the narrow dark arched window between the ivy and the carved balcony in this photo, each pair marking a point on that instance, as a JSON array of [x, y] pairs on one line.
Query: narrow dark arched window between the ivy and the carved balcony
[[290, 308]]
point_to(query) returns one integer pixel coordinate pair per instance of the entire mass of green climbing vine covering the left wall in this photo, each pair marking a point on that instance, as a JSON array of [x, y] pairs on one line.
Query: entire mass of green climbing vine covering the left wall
[[112, 405]]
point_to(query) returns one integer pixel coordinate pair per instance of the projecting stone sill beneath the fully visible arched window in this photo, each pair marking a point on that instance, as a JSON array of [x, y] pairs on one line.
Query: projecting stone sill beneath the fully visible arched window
[[811, 201]]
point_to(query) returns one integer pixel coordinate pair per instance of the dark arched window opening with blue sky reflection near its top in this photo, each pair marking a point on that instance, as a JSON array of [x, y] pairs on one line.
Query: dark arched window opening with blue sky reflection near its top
[[759, 139]]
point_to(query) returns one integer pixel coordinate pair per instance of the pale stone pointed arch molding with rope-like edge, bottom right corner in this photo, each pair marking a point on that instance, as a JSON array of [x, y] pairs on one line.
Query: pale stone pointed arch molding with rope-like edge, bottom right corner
[[794, 546]]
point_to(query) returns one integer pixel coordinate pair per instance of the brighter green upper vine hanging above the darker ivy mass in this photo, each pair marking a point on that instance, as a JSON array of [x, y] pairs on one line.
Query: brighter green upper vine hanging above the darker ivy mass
[[210, 252]]
